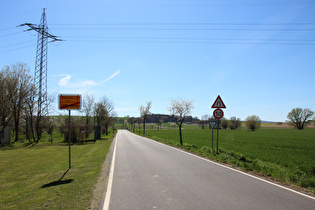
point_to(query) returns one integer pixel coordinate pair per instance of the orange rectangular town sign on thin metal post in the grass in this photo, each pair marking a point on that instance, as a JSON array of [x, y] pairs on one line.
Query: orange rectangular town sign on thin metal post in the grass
[[69, 102]]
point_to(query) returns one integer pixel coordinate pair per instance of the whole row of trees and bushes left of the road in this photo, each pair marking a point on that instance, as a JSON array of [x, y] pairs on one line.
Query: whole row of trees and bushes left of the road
[[21, 109]]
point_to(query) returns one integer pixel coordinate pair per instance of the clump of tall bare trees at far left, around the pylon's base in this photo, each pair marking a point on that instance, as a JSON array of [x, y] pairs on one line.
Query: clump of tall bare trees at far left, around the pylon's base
[[18, 104]]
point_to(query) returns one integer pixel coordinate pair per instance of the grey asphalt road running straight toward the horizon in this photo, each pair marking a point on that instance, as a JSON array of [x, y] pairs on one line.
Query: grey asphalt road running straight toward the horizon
[[150, 175]]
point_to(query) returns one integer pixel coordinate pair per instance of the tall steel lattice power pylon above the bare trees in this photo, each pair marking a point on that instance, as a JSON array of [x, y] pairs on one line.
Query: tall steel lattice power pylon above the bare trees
[[40, 77]]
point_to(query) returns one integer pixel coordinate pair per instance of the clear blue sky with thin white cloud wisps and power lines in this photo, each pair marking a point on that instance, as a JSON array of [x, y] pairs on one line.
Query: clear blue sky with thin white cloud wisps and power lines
[[259, 55]]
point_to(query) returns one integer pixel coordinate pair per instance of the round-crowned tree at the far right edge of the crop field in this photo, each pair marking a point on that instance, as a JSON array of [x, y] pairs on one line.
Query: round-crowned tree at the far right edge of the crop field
[[299, 117]]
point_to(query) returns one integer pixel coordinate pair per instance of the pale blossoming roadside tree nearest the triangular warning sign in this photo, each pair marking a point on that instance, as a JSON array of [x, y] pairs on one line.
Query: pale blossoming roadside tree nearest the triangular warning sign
[[180, 108]]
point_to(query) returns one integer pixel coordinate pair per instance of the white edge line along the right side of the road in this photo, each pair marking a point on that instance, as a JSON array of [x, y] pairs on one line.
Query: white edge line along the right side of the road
[[233, 169]]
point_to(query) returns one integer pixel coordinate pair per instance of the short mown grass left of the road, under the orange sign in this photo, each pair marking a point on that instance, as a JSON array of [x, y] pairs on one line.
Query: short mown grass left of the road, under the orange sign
[[30, 175]]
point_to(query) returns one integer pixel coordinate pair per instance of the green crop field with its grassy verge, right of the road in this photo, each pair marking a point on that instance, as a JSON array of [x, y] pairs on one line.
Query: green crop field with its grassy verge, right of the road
[[286, 155]]
